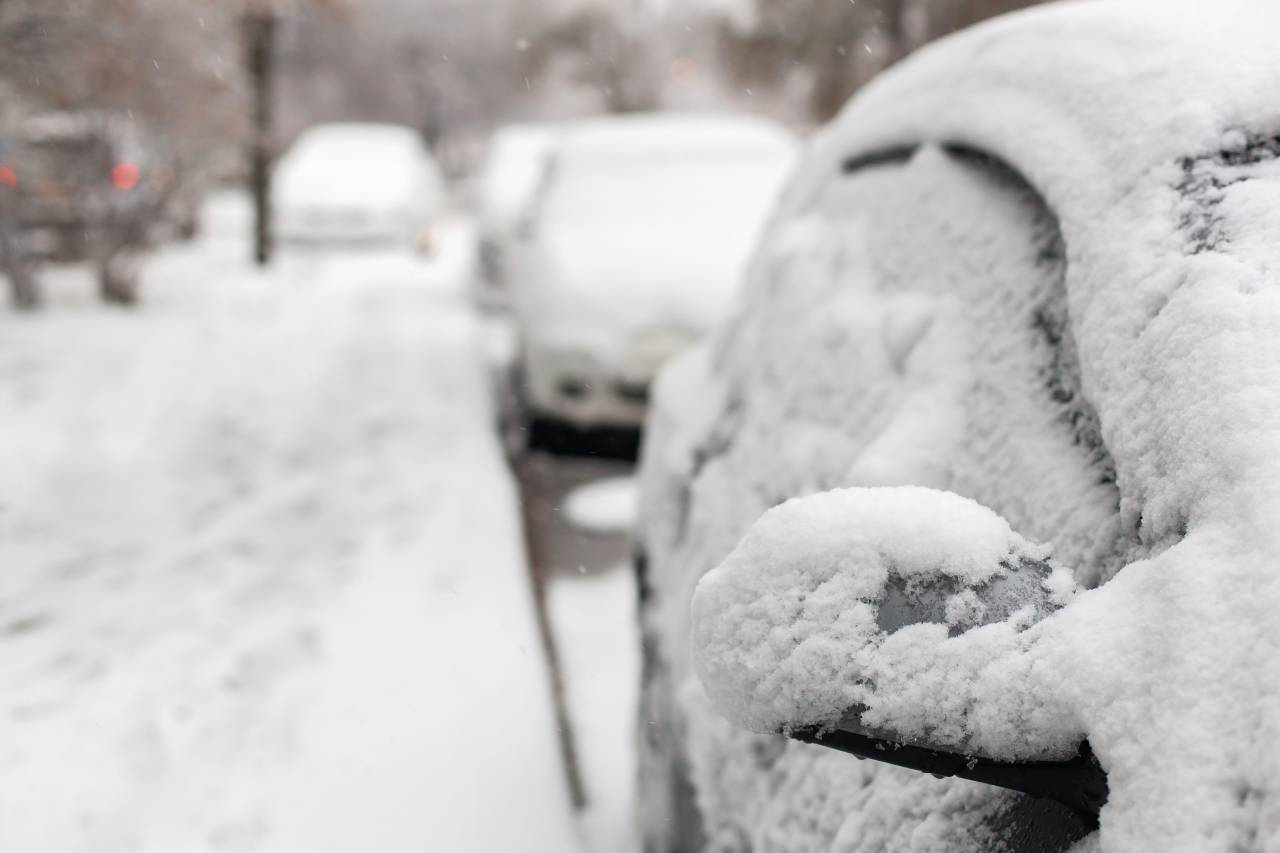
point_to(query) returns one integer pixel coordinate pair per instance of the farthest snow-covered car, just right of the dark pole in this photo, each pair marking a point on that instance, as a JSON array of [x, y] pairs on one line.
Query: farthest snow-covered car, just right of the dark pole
[[358, 184]]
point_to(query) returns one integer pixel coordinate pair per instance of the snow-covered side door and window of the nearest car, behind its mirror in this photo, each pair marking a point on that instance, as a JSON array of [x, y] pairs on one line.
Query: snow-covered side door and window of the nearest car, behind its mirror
[[907, 325]]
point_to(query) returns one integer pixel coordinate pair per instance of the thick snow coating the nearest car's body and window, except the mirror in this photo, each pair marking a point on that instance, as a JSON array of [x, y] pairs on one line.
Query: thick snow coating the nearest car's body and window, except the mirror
[[1127, 414]]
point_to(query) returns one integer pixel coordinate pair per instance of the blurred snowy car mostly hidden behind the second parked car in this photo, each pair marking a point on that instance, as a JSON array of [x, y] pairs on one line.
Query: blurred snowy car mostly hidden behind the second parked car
[[509, 184]]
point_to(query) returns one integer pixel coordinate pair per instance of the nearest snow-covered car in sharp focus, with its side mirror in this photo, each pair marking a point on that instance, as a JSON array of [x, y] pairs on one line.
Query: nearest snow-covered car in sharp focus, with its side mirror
[[982, 477]]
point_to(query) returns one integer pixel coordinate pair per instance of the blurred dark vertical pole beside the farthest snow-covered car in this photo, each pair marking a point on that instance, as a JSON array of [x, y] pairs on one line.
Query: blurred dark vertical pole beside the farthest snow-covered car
[[259, 30]]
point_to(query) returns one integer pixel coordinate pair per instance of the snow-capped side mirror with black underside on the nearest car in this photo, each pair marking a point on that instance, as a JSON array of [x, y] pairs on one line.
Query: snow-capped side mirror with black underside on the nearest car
[[844, 618]]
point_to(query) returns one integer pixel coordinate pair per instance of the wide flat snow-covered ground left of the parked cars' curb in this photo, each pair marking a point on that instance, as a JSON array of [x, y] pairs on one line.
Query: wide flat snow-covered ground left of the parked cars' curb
[[263, 586]]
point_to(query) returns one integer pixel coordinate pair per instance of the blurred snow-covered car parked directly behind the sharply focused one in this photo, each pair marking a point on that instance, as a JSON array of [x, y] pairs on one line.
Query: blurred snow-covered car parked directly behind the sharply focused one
[[638, 241]]
